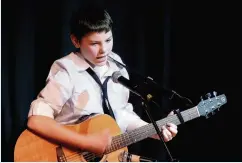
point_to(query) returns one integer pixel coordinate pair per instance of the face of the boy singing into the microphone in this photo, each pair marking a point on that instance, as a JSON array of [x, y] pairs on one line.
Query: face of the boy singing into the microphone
[[95, 47]]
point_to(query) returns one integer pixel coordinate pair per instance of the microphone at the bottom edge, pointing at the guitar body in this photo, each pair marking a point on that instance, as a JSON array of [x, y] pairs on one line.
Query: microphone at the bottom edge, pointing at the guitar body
[[127, 157]]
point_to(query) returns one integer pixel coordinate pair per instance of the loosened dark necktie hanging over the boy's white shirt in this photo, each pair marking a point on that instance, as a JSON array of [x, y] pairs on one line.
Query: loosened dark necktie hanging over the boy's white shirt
[[105, 102]]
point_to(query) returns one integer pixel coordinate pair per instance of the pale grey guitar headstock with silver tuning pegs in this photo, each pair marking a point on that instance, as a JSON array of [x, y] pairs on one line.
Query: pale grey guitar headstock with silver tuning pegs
[[211, 104]]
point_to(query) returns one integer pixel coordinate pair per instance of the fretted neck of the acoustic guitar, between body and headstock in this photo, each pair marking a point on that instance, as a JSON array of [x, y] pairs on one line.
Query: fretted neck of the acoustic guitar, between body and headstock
[[148, 130]]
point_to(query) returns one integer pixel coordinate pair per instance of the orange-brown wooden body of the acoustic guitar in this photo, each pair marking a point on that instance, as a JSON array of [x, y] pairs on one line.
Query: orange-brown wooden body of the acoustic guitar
[[34, 148]]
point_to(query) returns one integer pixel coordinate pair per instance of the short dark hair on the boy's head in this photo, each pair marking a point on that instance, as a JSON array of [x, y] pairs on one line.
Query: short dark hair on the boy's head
[[90, 19]]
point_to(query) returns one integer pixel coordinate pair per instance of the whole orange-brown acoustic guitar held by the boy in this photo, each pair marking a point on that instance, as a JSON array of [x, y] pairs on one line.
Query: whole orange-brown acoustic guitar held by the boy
[[34, 148]]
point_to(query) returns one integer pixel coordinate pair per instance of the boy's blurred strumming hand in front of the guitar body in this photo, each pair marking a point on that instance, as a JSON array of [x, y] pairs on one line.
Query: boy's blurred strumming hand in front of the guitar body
[[98, 142]]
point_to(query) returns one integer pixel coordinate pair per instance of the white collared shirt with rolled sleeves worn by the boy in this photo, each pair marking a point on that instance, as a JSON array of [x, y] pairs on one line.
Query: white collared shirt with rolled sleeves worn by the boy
[[70, 93]]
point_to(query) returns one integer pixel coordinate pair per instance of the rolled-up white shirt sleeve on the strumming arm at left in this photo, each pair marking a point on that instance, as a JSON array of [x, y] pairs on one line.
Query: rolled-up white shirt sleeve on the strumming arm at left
[[53, 96]]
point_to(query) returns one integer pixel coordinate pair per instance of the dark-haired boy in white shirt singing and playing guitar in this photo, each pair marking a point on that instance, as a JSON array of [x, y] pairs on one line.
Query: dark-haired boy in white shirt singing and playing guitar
[[72, 91]]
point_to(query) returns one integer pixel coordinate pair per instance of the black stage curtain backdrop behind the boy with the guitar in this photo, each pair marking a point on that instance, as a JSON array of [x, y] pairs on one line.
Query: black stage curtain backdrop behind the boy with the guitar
[[189, 46]]
